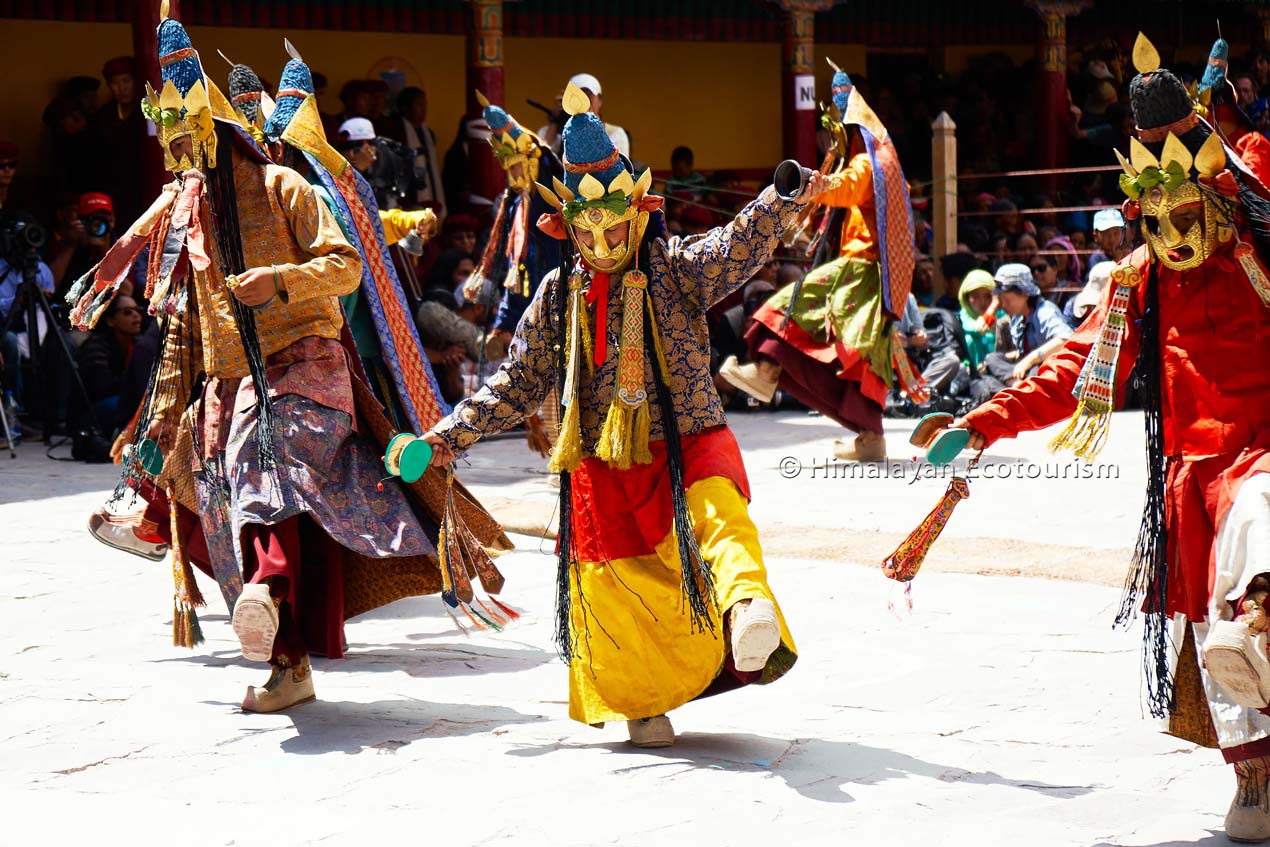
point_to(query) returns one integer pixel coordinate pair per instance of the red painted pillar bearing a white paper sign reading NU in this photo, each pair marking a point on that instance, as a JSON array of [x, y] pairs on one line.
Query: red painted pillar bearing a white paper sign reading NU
[[798, 81]]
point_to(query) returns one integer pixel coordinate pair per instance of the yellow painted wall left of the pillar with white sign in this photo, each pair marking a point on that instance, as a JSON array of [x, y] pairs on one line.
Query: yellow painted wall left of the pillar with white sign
[[721, 100]]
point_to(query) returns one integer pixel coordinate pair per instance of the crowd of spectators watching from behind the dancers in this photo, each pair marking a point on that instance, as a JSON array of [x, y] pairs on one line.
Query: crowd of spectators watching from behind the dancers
[[1045, 252]]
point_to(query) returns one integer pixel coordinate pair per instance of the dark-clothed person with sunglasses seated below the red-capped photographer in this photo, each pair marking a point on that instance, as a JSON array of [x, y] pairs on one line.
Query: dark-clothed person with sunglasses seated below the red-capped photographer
[[115, 364]]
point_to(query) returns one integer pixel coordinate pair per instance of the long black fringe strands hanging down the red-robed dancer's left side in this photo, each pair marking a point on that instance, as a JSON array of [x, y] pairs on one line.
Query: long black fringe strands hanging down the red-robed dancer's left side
[[1149, 576]]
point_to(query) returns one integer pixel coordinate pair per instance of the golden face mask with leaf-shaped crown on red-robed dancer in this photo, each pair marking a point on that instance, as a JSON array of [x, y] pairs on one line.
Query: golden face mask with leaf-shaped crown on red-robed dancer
[[1182, 224]]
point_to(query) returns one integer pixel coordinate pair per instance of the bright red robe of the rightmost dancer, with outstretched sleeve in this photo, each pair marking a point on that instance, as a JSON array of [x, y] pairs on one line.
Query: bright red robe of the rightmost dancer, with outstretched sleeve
[[1216, 399]]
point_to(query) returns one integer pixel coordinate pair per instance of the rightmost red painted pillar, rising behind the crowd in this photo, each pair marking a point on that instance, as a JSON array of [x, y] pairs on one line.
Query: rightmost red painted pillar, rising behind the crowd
[[1053, 117]]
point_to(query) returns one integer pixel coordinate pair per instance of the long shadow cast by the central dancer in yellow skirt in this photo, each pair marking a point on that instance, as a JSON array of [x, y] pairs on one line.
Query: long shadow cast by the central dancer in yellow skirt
[[817, 769]]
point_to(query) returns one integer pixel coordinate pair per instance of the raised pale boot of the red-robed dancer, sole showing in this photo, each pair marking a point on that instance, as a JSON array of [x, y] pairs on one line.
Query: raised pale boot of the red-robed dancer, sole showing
[[1235, 653]]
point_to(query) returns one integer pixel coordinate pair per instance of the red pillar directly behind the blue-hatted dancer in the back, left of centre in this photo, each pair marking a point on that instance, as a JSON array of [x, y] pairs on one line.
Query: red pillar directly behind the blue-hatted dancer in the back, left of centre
[[485, 74]]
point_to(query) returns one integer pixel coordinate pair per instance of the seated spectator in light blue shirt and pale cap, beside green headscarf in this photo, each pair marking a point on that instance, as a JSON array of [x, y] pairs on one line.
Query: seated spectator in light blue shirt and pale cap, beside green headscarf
[[1034, 333]]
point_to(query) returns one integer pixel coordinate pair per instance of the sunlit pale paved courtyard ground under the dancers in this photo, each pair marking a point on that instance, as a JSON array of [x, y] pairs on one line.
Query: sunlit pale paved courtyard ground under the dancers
[[1003, 710]]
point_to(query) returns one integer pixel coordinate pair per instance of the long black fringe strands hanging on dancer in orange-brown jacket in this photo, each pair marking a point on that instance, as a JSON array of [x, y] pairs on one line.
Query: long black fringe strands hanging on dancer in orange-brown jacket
[[229, 243]]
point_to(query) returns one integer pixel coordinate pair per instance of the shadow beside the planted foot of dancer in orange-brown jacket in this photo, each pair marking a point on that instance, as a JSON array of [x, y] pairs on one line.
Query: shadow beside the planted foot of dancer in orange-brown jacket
[[388, 726]]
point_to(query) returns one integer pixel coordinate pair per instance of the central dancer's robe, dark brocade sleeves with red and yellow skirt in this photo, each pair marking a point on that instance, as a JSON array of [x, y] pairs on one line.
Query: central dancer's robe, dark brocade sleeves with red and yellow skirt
[[639, 656]]
